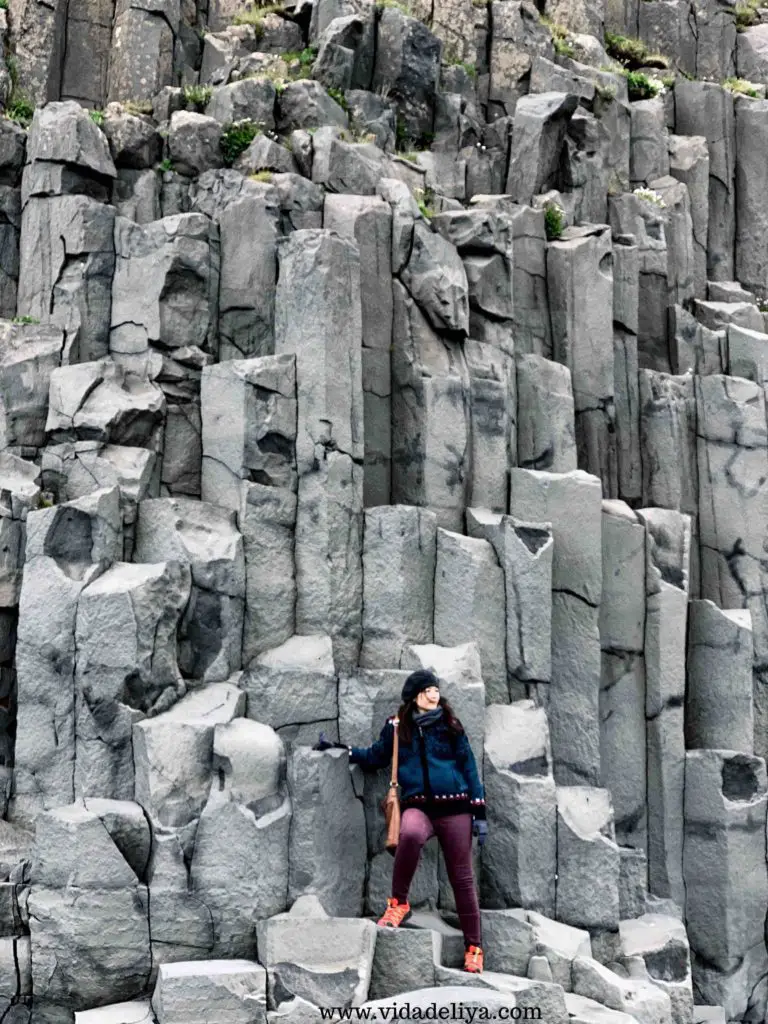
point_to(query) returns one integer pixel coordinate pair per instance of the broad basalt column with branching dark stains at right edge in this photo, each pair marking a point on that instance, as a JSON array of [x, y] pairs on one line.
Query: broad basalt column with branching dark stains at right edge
[[733, 456]]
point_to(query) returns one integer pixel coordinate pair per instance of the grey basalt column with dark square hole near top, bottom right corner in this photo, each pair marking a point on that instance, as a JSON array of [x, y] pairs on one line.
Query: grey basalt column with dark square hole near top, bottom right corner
[[727, 882]]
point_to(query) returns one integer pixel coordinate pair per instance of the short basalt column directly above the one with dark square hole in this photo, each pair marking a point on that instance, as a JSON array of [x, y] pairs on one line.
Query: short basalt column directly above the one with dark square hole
[[718, 696]]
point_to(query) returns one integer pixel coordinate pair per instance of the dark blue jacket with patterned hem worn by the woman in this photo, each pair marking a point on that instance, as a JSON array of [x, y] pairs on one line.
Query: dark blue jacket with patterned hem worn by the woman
[[437, 770]]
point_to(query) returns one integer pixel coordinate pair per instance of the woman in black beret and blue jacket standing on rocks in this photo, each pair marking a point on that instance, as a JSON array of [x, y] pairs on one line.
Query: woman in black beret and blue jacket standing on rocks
[[441, 794]]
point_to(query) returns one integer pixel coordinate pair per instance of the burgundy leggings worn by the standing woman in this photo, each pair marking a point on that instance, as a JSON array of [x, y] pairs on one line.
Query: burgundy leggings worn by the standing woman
[[455, 836]]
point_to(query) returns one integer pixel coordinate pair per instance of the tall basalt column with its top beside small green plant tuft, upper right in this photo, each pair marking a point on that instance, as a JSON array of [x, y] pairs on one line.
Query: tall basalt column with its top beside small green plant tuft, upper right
[[581, 289]]
